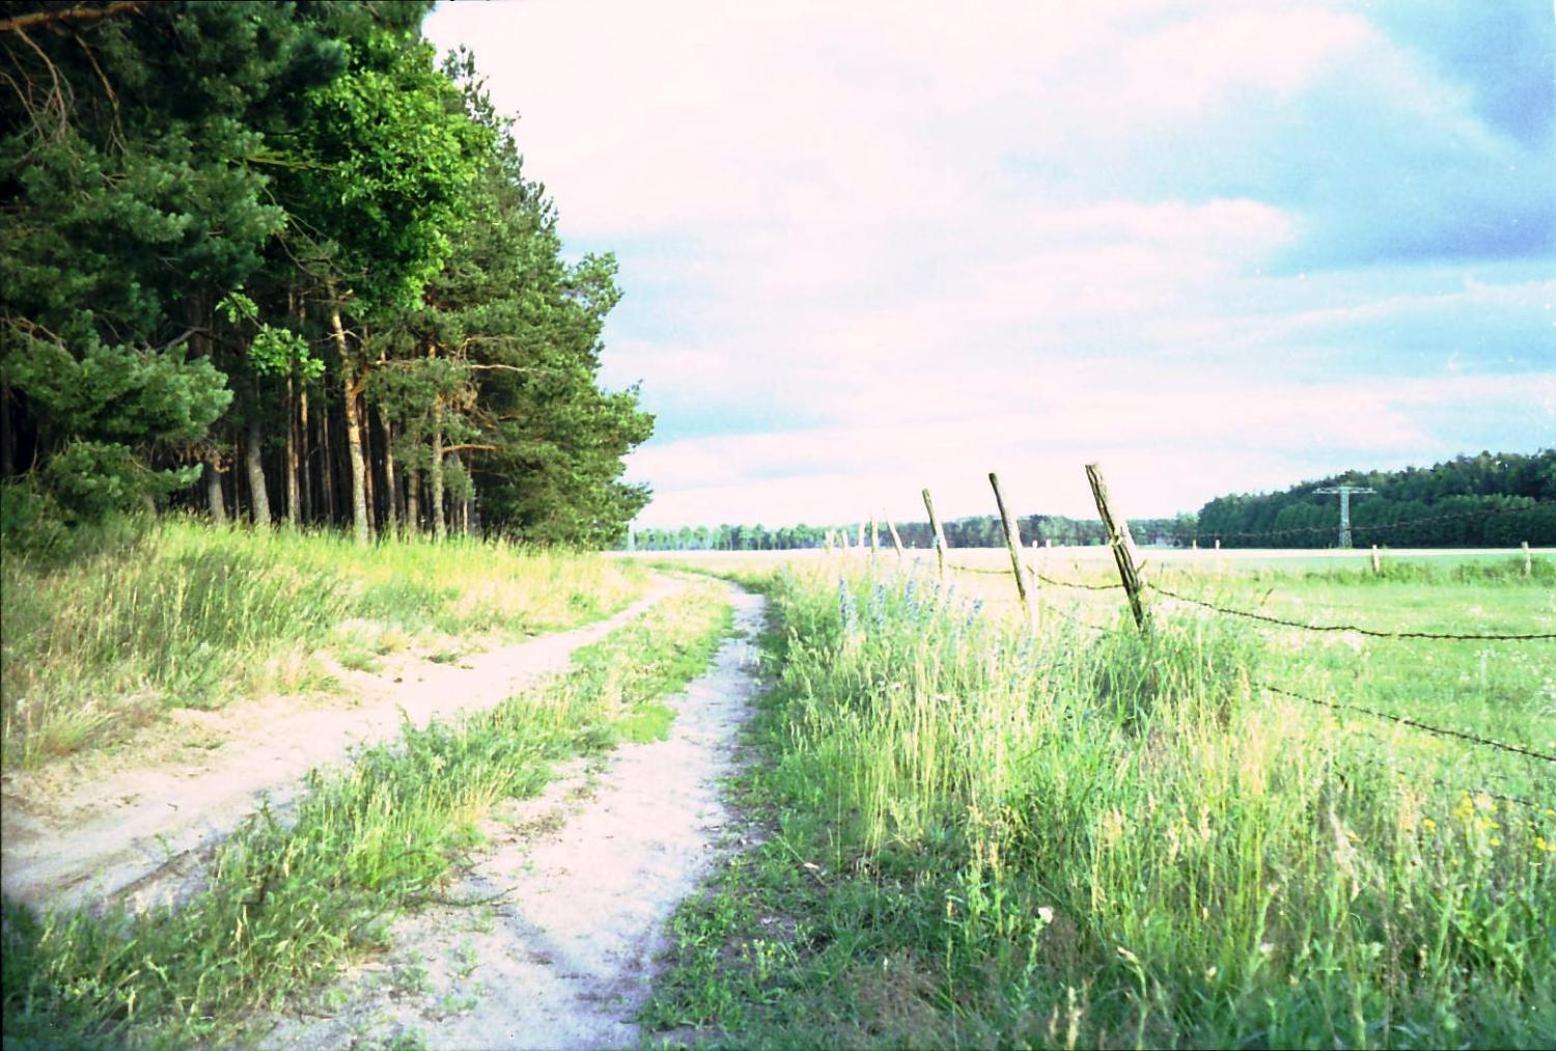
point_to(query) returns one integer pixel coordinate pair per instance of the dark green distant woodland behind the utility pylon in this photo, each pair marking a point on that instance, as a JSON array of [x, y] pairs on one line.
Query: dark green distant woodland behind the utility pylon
[[1487, 501]]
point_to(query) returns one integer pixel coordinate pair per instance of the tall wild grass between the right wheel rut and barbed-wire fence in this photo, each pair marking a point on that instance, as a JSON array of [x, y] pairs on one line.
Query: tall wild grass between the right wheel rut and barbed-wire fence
[[1098, 840]]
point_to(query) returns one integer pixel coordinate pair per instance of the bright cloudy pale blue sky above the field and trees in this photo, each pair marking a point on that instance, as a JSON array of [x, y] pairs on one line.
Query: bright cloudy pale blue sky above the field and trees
[[1216, 247]]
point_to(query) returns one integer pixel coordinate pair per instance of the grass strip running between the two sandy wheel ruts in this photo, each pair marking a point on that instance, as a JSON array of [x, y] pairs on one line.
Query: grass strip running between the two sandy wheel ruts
[[289, 904]]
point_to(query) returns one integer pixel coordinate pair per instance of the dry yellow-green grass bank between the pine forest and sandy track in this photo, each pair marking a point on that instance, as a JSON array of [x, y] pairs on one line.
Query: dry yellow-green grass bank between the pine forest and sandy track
[[187, 616]]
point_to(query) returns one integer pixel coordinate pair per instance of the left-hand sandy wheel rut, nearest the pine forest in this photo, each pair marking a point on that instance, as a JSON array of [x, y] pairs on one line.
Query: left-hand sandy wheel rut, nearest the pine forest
[[139, 832]]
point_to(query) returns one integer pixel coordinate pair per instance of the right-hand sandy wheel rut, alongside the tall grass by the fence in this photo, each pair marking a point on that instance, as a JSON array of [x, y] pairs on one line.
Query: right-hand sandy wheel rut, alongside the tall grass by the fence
[[586, 881]]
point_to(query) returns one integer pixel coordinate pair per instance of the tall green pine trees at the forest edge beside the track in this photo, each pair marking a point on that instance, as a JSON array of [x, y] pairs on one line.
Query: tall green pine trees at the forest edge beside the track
[[276, 262]]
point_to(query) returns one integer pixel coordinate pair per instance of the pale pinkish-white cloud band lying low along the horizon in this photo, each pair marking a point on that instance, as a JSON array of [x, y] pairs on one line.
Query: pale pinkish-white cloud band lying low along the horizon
[[1166, 452]]
